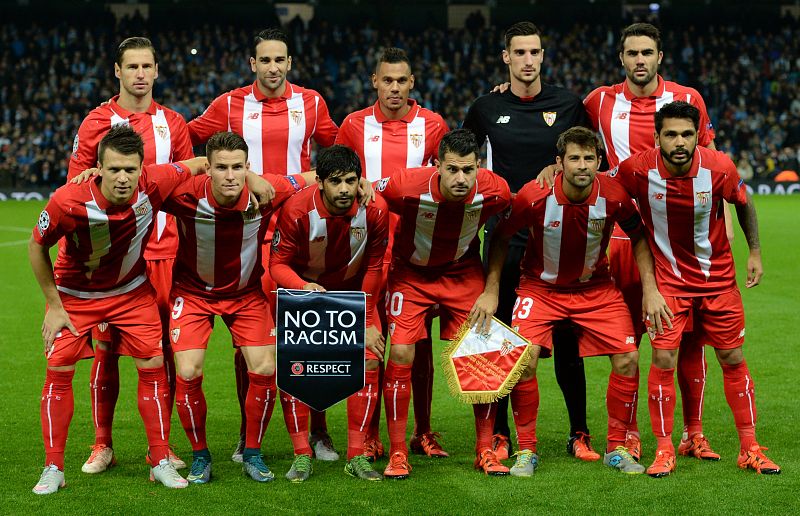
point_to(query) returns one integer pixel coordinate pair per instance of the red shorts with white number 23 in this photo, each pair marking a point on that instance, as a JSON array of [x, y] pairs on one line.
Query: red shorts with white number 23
[[599, 314]]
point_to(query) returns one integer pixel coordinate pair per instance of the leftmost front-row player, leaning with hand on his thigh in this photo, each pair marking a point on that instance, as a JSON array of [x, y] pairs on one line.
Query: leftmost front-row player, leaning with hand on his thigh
[[100, 277]]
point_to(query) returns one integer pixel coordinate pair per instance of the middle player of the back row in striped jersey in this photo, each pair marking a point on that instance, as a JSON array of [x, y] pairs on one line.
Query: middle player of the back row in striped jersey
[[393, 134]]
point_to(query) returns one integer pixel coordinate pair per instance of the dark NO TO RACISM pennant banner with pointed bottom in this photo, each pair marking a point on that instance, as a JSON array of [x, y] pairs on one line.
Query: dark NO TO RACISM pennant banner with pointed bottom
[[320, 338]]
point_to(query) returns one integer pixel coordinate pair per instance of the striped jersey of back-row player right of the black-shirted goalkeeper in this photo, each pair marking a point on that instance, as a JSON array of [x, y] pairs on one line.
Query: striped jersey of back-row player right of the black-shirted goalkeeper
[[626, 122]]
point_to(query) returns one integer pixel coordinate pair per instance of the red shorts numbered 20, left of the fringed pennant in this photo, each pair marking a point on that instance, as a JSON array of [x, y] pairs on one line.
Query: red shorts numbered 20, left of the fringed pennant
[[411, 293]]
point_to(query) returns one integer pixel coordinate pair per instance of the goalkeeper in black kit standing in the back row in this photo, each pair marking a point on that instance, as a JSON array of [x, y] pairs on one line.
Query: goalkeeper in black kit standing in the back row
[[521, 127]]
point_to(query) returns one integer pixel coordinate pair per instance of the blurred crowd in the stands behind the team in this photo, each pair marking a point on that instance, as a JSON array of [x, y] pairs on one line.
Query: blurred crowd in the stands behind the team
[[51, 76]]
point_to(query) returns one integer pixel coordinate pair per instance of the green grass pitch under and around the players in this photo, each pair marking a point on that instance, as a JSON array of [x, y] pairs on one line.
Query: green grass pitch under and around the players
[[445, 486]]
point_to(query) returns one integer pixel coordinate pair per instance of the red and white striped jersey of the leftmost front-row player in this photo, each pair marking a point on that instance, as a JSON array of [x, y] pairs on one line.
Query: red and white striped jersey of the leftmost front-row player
[[103, 251]]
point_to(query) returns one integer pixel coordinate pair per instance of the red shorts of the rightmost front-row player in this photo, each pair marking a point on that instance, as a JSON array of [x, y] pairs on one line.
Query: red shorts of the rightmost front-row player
[[717, 321]]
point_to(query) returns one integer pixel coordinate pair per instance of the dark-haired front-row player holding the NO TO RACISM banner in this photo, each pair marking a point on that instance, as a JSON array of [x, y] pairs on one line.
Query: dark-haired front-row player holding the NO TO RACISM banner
[[325, 240]]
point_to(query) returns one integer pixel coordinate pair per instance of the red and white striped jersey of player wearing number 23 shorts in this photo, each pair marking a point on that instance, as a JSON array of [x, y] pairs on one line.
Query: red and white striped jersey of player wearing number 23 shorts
[[568, 241]]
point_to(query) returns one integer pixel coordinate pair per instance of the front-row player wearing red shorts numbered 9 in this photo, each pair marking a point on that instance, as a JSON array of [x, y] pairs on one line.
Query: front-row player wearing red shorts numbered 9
[[218, 273]]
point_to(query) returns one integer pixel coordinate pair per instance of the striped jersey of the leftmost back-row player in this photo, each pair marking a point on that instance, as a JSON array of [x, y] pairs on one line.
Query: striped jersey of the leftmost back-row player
[[166, 139]]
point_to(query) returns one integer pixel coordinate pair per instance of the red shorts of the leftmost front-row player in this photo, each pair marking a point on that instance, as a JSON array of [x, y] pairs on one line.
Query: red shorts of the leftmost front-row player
[[134, 317]]
